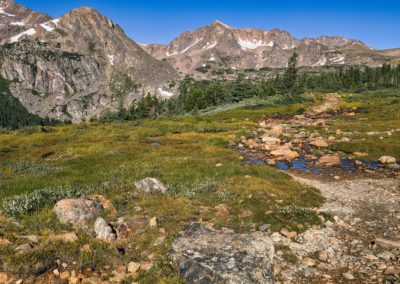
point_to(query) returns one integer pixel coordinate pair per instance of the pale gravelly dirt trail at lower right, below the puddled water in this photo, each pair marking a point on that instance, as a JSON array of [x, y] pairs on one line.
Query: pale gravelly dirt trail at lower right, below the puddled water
[[365, 210]]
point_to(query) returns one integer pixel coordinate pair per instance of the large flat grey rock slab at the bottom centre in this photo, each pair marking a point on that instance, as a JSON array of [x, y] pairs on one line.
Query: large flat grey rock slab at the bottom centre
[[207, 256]]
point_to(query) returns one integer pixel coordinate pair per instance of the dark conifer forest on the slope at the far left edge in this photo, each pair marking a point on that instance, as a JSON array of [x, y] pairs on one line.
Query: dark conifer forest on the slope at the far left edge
[[13, 114]]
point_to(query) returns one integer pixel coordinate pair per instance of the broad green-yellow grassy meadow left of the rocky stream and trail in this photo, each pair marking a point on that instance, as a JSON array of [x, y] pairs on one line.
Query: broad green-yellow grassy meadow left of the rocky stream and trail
[[109, 158]]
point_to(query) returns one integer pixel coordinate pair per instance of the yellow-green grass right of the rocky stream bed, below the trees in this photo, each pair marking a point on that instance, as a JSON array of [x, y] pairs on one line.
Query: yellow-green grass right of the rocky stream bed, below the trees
[[376, 111]]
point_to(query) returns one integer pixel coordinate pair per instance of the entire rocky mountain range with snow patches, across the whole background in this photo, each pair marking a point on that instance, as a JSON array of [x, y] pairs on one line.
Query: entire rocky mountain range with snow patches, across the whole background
[[81, 64]]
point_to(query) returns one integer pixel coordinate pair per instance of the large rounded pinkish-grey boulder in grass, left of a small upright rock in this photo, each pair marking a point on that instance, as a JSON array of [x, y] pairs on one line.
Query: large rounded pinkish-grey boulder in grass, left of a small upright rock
[[77, 212]]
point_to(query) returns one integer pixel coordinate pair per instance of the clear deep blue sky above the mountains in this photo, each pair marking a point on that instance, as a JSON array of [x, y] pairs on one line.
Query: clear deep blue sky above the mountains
[[377, 23]]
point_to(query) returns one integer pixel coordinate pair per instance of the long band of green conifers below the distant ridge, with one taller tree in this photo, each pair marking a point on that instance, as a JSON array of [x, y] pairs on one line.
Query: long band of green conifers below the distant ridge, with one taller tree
[[194, 96]]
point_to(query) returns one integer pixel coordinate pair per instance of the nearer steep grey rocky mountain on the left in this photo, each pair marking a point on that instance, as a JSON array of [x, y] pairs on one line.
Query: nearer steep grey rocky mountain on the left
[[79, 65]]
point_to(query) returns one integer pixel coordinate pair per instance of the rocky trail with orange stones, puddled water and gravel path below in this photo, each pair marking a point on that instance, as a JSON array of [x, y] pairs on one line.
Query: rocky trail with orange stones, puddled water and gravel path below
[[361, 242]]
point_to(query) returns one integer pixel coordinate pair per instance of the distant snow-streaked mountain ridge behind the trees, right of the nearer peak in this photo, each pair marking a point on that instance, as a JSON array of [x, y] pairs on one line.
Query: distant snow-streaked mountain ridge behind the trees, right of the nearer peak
[[220, 45]]
